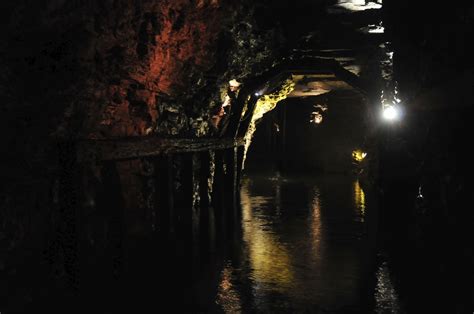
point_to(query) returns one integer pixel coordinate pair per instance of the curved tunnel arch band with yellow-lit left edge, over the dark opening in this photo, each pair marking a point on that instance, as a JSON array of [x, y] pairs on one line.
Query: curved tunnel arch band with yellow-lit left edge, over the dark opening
[[305, 77]]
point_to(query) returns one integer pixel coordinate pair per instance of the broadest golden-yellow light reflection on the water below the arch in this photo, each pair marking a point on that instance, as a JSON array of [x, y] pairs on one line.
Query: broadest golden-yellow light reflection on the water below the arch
[[269, 258]]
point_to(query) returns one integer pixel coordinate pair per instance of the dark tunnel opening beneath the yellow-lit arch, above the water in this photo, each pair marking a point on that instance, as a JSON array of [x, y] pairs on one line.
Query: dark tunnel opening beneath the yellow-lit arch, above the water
[[319, 134]]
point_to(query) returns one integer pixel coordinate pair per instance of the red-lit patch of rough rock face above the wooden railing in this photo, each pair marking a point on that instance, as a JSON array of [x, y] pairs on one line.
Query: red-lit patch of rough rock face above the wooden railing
[[146, 50]]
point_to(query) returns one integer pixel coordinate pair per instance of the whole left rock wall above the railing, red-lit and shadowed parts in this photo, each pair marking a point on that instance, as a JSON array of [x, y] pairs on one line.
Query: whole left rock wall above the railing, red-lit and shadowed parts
[[112, 68]]
